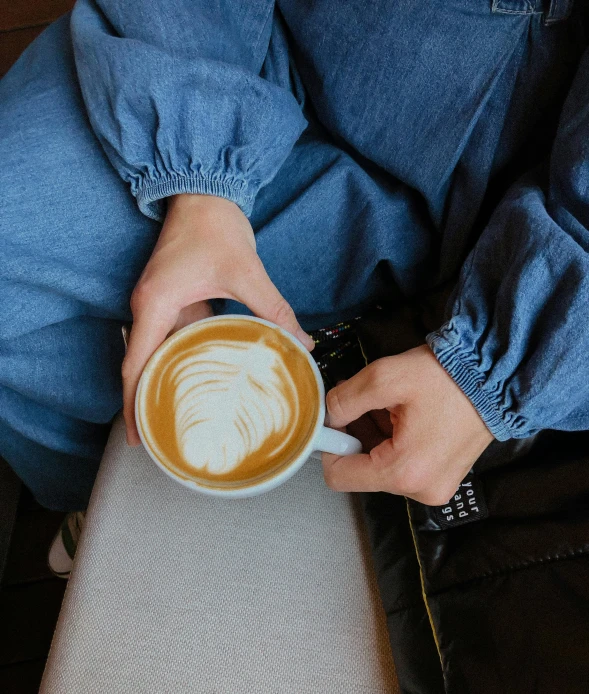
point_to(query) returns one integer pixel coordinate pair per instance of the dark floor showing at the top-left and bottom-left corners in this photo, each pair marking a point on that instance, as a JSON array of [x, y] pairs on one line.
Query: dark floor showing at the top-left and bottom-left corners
[[30, 597]]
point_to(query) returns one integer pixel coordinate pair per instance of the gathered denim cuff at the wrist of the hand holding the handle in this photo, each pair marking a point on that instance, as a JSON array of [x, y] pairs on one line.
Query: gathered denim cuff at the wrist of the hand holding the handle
[[470, 382]]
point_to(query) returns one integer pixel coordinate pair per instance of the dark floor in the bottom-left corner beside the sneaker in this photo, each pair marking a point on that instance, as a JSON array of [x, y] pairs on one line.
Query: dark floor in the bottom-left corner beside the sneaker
[[30, 596]]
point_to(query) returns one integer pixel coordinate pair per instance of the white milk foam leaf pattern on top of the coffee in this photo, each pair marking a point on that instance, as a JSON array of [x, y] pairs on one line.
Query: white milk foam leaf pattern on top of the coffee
[[230, 398]]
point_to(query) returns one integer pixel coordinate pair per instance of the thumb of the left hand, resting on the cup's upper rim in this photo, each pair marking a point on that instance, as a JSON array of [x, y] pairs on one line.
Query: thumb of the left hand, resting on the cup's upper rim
[[257, 291]]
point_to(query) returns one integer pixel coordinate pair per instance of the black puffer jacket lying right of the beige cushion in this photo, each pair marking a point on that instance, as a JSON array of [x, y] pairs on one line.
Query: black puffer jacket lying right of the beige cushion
[[490, 596]]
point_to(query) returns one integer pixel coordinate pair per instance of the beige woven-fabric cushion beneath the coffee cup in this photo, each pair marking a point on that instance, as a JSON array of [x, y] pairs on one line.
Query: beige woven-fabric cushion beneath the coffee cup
[[177, 592]]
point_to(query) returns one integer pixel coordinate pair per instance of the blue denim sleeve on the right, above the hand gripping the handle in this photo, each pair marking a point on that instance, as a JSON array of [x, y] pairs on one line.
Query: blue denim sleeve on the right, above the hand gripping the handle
[[517, 338]]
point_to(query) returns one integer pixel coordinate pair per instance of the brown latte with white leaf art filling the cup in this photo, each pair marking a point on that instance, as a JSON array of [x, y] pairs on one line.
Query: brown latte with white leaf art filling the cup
[[228, 403]]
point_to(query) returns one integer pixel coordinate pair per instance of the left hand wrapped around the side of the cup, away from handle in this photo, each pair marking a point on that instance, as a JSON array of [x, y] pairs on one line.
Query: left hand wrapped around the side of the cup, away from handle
[[206, 250]]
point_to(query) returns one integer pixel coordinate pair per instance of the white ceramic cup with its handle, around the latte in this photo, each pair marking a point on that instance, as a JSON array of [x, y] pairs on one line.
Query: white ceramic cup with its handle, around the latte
[[321, 439]]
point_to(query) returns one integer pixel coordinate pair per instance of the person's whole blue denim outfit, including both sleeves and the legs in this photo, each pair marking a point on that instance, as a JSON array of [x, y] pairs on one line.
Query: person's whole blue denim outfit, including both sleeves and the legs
[[368, 143]]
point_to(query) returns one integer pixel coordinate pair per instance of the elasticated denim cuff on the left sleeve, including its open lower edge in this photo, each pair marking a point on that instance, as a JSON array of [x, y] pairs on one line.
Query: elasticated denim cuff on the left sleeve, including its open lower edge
[[151, 195]]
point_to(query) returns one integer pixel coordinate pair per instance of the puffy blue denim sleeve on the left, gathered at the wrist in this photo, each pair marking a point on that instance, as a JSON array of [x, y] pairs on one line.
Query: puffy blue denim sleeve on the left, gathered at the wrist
[[174, 94]]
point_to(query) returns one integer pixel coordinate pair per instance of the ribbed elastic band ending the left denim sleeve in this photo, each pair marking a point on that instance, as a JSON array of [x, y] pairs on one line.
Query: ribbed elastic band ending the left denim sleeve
[[206, 185]]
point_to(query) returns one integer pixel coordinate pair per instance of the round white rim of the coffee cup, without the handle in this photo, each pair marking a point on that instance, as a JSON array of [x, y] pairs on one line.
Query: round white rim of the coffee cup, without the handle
[[264, 485]]
